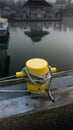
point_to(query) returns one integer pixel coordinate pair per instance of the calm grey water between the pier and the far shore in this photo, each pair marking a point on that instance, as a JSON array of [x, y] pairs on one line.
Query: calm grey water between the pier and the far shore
[[52, 41]]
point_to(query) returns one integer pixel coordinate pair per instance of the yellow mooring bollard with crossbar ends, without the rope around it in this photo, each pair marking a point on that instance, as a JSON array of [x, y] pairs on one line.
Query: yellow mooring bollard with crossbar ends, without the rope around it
[[38, 67]]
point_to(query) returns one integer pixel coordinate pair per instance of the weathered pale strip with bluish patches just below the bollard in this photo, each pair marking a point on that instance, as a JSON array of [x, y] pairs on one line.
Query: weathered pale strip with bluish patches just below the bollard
[[34, 103]]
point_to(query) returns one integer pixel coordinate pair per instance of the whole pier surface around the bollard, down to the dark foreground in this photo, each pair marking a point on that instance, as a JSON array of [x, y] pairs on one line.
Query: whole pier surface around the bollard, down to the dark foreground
[[28, 111]]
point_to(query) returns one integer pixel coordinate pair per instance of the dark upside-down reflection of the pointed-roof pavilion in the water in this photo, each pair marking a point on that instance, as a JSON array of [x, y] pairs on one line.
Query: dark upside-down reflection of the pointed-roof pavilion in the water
[[36, 31]]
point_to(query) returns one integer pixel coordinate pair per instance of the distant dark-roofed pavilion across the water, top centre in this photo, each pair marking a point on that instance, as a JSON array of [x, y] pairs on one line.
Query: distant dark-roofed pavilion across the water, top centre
[[36, 9]]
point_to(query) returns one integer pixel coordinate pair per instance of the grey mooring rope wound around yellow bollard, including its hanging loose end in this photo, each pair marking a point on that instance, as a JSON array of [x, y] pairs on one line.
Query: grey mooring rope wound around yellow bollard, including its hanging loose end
[[35, 79]]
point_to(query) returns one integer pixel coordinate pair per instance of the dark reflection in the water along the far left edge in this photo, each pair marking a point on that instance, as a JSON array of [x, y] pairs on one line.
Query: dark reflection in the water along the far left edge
[[4, 58]]
